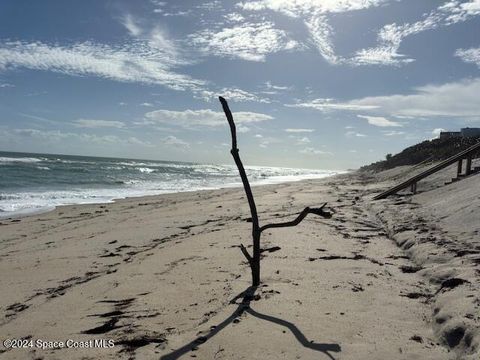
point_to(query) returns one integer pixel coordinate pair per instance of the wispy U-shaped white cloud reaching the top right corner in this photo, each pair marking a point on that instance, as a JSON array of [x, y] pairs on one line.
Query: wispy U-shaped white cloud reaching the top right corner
[[314, 15]]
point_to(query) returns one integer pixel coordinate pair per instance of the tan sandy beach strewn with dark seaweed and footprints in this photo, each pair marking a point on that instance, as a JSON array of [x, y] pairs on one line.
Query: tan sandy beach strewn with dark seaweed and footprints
[[393, 279]]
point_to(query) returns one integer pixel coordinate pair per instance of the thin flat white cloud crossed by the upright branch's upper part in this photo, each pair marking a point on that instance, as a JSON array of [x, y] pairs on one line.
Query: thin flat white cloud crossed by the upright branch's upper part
[[191, 119]]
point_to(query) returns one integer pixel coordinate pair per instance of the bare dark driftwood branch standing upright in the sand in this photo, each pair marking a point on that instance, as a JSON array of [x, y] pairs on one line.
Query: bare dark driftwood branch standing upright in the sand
[[254, 260]]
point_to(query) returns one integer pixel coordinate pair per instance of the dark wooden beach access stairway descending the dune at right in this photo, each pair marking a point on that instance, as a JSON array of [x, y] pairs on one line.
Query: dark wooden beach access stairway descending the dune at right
[[459, 158]]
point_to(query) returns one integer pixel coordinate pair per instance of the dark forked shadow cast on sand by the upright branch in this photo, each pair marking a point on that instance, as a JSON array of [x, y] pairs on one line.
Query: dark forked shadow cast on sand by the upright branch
[[244, 306]]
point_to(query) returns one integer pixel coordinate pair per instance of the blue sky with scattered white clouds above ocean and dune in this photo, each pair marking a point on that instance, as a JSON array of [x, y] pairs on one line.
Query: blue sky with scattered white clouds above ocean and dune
[[326, 84]]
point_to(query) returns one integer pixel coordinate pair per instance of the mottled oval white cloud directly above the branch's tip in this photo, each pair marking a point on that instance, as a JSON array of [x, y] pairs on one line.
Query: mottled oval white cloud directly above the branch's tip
[[247, 41]]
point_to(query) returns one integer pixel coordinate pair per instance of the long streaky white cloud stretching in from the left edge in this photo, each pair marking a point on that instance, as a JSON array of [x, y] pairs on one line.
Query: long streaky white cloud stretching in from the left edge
[[137, 62]]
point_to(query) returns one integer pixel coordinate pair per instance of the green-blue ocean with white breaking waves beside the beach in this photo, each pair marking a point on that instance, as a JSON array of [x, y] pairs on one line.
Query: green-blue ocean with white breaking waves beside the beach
[[40, 182]]
